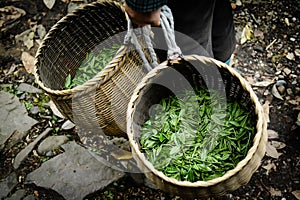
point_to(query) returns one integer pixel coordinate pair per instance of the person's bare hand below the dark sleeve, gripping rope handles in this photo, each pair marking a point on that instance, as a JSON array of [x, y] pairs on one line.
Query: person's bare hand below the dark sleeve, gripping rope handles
[[143, 18]]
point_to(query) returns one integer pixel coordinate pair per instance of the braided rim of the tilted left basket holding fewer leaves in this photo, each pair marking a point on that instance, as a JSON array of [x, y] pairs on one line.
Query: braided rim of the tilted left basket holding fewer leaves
[[104, 75]]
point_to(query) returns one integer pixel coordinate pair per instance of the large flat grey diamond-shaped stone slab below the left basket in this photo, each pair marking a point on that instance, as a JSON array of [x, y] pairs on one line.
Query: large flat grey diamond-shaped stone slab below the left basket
[[74, 173]]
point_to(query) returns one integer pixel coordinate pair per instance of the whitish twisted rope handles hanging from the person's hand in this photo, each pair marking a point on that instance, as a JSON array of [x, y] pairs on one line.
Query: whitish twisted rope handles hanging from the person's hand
[[167, 24]]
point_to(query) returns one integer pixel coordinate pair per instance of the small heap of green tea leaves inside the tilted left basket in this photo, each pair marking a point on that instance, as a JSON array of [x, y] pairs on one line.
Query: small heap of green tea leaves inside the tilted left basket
[[91, 66]]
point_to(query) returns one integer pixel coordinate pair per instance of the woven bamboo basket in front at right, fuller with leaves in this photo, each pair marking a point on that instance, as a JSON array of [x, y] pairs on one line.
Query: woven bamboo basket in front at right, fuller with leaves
[[150, 92]]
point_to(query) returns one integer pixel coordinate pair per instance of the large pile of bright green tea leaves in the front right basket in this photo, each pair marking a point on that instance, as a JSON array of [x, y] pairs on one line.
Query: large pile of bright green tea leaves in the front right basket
[[194, 138]]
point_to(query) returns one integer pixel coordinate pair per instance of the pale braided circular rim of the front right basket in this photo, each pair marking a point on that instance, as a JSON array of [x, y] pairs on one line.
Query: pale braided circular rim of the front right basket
[[259, 137]]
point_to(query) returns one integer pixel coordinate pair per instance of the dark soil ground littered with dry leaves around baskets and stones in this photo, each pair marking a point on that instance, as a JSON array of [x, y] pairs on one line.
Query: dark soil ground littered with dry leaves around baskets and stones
[[269, 52]]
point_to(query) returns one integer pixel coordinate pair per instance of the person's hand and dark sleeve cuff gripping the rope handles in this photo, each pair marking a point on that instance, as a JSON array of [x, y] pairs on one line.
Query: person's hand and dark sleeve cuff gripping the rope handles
[[144, 12]]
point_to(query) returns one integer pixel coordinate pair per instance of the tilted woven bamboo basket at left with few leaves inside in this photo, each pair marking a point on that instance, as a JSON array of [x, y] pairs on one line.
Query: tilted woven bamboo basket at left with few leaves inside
[[100, 104]]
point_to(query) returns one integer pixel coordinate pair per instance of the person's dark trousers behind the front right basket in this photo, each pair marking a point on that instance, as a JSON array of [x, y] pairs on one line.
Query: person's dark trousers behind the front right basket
[[204, 27]]
